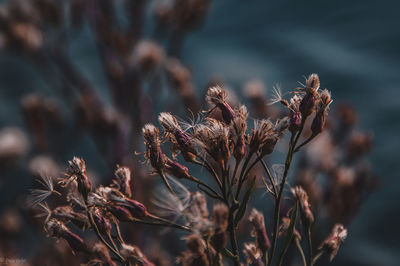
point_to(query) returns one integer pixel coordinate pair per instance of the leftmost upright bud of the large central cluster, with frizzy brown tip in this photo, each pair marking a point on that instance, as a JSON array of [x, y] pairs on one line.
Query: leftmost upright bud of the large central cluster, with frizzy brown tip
[[153, 149]]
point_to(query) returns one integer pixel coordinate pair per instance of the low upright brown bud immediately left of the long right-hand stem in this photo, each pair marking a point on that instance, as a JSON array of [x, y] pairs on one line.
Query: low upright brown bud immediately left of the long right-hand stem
[[257, 220]]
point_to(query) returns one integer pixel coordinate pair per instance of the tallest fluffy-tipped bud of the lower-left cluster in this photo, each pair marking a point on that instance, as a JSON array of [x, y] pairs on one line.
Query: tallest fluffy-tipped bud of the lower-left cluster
[[77, 170]]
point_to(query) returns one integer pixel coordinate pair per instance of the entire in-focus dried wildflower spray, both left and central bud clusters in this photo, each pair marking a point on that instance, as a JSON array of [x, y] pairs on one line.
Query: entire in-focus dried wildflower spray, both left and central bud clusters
[[229, 153]]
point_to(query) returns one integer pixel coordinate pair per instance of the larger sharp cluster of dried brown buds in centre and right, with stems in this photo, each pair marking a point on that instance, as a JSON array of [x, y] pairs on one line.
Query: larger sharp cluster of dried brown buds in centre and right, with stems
[[213, 143]]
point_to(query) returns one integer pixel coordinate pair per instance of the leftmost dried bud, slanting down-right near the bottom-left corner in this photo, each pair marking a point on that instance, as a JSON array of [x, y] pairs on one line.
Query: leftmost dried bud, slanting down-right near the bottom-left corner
[[57, 229]]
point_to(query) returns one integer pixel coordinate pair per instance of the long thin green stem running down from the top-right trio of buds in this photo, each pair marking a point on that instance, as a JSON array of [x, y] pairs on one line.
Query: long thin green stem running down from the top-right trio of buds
[[288, 162]]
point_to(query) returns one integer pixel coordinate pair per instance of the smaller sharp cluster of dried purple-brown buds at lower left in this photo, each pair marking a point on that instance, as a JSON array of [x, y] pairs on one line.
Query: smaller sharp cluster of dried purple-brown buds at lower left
[[100, 209]]
